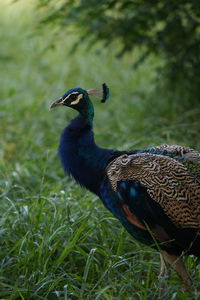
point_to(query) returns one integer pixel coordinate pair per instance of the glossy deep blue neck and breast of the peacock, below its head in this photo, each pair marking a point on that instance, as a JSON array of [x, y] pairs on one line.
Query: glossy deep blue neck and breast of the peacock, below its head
[[81, 157]]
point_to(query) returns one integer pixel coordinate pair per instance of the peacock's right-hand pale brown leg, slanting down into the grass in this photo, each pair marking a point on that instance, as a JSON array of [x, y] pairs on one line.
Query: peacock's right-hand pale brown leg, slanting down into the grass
[[178, 265]]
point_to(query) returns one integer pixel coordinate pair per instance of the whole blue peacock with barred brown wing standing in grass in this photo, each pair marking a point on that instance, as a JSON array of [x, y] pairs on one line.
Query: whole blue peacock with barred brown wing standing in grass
[[153, 192]]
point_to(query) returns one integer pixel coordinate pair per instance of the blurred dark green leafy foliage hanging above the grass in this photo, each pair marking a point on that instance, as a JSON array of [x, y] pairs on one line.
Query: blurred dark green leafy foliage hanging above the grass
[[168, 29]]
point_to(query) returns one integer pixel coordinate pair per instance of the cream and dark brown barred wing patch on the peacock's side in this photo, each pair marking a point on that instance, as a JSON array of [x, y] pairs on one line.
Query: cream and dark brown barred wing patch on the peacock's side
[[167, 181]]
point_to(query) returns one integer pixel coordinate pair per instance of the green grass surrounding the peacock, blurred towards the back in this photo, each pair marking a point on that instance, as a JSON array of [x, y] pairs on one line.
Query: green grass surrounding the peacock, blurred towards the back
[[57, 240]]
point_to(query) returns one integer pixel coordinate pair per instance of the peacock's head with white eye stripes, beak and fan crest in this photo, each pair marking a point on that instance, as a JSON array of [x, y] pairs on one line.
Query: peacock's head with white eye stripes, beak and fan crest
[[79, 99]]
